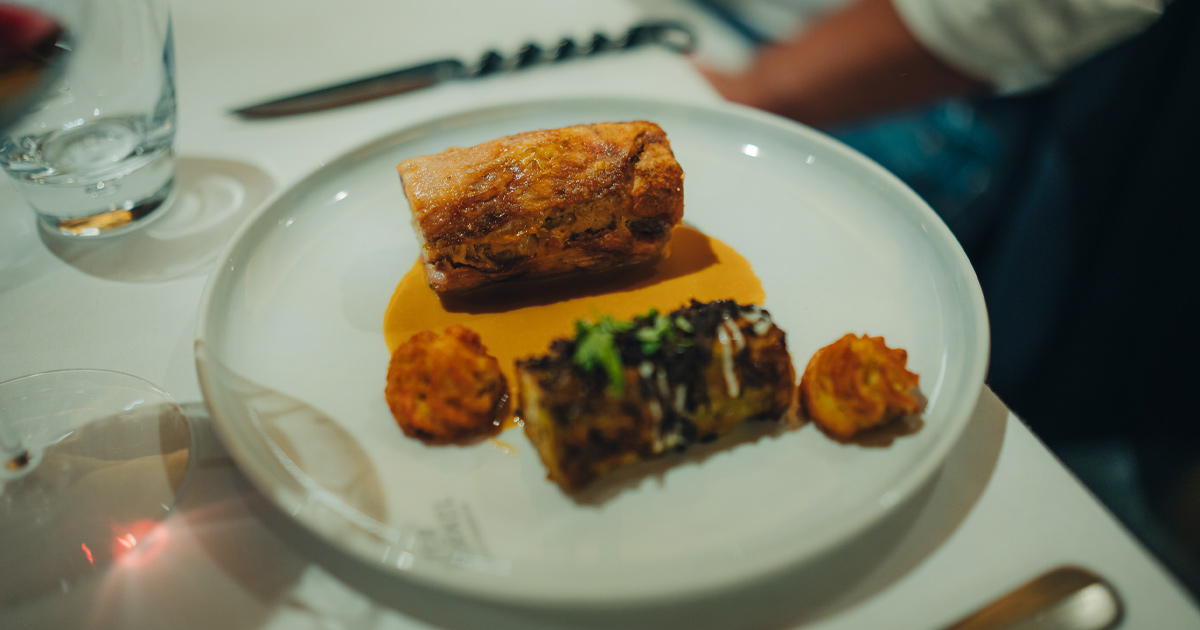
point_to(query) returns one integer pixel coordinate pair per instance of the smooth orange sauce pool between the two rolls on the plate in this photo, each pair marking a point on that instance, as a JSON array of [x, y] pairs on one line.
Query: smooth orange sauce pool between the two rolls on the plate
[[521, 320]]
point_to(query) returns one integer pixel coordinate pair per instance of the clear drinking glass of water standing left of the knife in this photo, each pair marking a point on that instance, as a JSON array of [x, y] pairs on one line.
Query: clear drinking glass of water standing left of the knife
[[97, 155]]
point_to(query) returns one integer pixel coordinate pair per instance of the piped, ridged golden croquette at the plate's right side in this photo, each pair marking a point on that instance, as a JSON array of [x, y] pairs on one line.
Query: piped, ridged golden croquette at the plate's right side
[[857, 383]]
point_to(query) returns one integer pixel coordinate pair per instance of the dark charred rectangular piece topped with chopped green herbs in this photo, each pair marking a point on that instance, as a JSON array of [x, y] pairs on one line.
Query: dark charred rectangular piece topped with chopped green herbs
[[625, 392]]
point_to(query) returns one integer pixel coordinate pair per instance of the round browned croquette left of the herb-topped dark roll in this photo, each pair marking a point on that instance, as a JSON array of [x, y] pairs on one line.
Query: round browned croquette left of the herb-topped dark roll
[[446, 389]]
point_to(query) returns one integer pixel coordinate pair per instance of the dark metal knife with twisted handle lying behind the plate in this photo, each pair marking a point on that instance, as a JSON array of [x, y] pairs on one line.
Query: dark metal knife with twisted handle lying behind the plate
[[673, 35]]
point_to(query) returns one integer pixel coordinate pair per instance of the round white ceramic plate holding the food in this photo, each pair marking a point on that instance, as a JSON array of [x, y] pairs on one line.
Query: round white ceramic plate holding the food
[[292, 362]]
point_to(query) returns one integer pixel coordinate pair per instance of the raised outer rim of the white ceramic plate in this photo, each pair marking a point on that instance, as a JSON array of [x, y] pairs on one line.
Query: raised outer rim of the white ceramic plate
[[490, 587]]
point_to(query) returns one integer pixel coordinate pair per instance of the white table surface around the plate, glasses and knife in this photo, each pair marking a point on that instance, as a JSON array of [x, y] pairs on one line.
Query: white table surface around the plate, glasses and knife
[[1000, 512]]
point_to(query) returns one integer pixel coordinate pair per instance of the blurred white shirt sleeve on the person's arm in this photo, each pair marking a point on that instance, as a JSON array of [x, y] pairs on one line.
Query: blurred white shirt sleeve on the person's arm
[[1019, 45]]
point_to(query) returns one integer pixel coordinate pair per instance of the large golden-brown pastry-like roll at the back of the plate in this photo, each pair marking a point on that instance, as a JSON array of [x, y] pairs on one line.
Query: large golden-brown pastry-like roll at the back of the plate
[[544, 203]]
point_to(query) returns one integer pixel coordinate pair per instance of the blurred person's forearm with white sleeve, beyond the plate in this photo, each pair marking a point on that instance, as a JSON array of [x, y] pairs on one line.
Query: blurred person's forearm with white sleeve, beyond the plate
[[877, 57]]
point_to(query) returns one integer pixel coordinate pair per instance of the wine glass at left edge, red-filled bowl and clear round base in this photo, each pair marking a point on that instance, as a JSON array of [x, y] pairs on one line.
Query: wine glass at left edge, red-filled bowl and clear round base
[[91, 460]]
